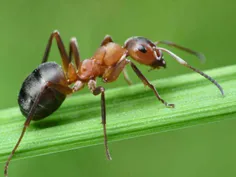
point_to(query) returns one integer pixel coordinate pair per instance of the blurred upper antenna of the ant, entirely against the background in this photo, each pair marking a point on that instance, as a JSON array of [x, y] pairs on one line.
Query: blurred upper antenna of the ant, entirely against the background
[[169, 43]]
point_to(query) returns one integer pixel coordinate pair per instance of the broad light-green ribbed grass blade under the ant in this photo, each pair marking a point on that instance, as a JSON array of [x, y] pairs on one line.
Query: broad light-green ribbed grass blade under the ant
[[132, 111]]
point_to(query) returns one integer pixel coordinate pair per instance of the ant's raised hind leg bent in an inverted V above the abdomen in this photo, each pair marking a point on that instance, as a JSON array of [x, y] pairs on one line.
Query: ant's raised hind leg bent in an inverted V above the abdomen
[[61, 47]]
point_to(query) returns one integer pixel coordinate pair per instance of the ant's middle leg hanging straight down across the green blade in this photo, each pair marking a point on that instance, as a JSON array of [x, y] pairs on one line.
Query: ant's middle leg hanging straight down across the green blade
[[96, 91]]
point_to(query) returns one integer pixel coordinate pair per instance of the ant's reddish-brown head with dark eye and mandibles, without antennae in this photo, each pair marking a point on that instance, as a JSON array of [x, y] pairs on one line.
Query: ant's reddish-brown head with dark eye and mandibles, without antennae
[[145, 52]]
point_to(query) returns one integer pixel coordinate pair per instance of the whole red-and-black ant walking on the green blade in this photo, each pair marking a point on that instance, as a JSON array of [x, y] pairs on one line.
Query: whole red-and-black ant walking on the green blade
[[44, 90]]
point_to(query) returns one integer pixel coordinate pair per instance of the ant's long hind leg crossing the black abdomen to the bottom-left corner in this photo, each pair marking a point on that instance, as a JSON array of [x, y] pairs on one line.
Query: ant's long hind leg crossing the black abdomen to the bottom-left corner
[[62, 89]]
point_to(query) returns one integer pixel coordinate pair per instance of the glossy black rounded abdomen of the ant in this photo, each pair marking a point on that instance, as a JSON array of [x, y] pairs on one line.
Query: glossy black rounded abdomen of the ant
[[50, 99]]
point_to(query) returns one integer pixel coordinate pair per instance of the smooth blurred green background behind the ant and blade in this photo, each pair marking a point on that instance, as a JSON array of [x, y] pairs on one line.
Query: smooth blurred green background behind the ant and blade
[[208, 26]]
